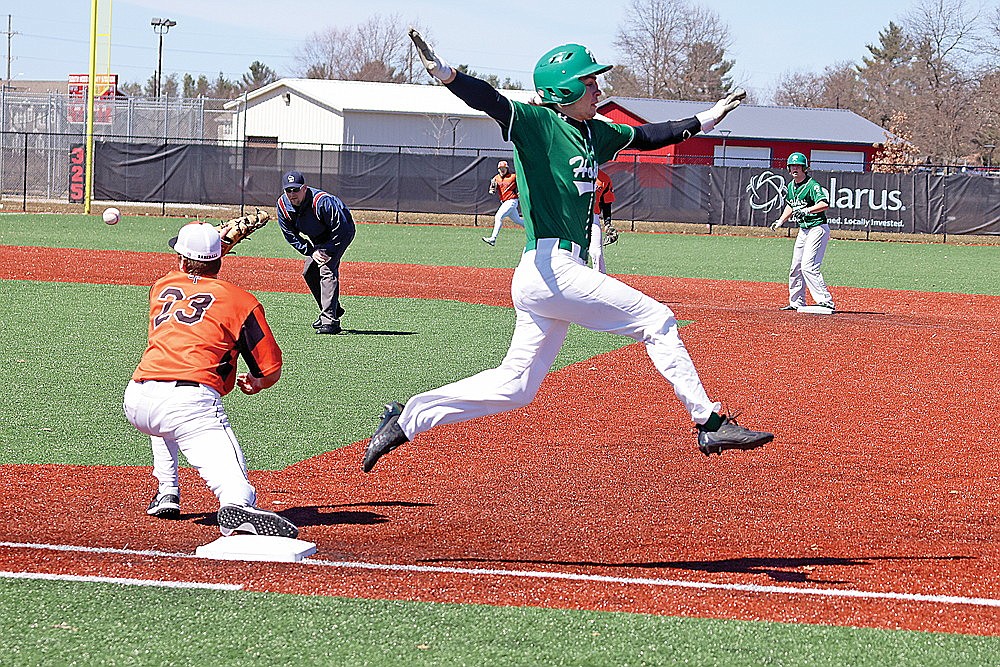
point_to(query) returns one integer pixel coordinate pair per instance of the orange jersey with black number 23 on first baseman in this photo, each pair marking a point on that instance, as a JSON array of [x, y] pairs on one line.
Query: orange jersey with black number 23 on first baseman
[[197, 328]]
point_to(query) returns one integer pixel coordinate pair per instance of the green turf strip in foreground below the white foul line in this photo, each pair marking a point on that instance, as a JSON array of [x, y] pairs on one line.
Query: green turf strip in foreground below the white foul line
[[59, 623]]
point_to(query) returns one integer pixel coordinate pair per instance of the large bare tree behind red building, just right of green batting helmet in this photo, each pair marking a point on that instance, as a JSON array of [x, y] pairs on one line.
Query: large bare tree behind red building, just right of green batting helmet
[[671, 49]]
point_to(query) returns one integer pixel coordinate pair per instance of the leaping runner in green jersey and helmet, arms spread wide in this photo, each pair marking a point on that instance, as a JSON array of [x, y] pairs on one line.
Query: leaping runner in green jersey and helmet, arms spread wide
[[558, 146]]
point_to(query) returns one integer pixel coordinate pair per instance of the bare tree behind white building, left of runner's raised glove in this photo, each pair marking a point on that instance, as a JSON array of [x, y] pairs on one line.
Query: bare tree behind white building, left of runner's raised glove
[[375, 50]]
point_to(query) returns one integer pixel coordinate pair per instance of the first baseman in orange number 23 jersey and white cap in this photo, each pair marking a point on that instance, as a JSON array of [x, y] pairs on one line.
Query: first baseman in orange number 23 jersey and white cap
[[198, 326]]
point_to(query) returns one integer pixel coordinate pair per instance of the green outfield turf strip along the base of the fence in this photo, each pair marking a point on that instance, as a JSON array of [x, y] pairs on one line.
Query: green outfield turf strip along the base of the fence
[[929, 267]]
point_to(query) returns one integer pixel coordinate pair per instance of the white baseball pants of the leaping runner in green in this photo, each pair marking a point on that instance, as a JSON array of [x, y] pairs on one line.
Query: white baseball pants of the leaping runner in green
[[551, 288]]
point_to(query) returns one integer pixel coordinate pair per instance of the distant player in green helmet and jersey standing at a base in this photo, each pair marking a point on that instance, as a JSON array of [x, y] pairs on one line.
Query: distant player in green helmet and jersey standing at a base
[[806, 206]]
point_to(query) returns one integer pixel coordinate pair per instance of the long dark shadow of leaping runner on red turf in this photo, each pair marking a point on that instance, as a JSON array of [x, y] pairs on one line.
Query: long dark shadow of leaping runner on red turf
[[777, 569]]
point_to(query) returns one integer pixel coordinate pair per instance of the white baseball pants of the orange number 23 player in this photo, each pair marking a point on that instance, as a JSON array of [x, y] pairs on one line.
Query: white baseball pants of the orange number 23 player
[[190, 420]]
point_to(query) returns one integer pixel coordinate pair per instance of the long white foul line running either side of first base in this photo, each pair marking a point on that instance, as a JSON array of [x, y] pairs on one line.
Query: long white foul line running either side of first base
[[570, 576]]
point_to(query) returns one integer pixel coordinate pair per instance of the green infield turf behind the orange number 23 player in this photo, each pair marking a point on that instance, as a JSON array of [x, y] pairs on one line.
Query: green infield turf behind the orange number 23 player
[[71, 349]]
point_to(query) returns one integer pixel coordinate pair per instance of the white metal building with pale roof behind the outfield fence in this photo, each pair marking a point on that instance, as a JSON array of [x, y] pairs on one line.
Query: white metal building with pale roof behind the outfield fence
[[356, 113]]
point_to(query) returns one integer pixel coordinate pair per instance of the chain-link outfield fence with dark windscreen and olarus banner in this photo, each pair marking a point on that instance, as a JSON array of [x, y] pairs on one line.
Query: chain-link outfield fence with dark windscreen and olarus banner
[[160, 153]]
